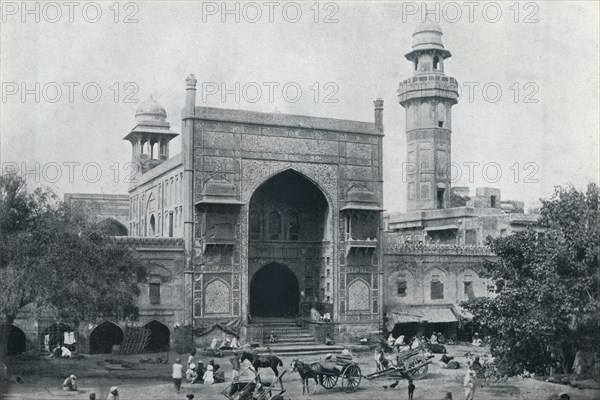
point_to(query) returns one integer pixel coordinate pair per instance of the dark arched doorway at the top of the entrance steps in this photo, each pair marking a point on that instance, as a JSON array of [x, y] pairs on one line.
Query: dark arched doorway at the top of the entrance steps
[[274, 292]]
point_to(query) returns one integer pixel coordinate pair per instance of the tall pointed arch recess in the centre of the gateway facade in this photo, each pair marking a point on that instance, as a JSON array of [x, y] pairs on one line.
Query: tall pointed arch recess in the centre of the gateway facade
[[287, 239]]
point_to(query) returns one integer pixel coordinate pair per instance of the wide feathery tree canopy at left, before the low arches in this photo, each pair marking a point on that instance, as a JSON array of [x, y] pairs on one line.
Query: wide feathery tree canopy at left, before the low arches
[[57, 254]]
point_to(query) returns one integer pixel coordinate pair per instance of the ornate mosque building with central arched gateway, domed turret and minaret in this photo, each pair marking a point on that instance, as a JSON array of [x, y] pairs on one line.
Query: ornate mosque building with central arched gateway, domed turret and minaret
[[265, 216]]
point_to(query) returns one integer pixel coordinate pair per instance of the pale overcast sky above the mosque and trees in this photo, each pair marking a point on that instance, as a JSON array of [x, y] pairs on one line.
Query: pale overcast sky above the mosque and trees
[[541, 131]]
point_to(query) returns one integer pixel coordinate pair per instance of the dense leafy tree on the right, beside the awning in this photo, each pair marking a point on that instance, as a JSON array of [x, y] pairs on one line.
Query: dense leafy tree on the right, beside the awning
[[547, 301]]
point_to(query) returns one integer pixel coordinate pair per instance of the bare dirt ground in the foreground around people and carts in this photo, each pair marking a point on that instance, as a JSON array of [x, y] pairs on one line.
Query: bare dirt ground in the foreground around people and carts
[[42, 380]]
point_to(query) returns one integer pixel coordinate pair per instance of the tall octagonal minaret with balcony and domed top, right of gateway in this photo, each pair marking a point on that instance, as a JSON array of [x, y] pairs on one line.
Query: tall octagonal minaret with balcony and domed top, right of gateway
[[428, 98]]
